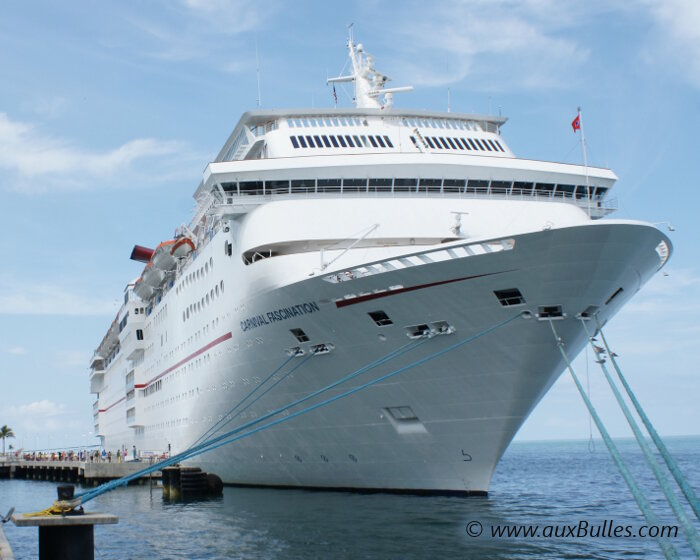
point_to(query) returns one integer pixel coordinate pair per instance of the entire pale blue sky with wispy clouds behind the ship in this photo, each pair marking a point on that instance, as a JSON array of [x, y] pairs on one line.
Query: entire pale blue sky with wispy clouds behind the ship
[[109, 112]]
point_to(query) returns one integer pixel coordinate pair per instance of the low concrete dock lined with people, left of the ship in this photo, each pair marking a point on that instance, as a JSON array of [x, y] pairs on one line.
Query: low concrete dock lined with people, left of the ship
[[72, 471]]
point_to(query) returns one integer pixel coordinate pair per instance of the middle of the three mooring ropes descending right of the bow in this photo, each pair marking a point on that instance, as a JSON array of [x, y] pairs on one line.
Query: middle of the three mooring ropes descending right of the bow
[[673, 501]]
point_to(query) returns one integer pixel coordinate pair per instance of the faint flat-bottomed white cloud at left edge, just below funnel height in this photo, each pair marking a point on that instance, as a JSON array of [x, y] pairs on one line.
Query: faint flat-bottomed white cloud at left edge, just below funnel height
[[30, 298]]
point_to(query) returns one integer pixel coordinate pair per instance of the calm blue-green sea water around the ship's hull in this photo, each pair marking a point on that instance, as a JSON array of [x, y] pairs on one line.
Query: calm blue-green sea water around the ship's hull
[[552, 483]]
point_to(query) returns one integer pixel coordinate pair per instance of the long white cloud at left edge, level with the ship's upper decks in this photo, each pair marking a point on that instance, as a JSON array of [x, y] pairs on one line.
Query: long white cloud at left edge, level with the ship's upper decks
[[38, 162]]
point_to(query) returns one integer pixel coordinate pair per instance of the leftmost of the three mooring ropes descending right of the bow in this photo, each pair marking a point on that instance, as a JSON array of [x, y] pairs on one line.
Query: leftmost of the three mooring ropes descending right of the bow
[[644, 505]]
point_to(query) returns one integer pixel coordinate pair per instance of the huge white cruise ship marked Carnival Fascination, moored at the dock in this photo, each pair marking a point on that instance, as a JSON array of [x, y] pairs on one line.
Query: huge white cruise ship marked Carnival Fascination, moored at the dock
[[406, 262]]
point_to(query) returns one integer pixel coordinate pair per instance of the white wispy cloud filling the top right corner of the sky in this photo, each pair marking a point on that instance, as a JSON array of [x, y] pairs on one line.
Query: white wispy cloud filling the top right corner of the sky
[[678, 45]]
